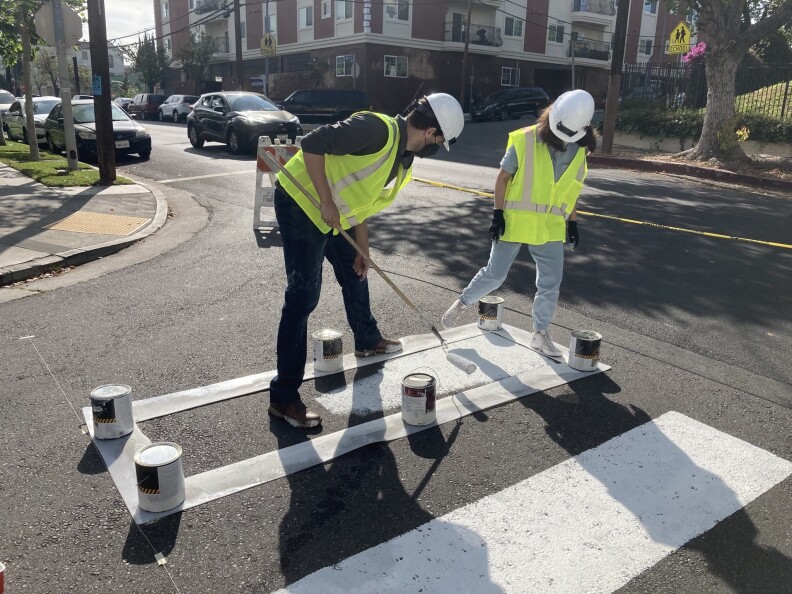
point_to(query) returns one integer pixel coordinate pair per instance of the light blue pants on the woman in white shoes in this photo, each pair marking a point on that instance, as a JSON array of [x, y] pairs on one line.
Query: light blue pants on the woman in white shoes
[[549, 259]]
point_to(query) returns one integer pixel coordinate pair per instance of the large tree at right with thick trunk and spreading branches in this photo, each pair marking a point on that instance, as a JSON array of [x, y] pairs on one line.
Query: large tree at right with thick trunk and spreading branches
[[729, 38]]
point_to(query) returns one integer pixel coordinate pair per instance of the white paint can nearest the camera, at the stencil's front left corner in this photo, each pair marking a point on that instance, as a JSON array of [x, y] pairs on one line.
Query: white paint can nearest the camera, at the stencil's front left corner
[[160, 476]]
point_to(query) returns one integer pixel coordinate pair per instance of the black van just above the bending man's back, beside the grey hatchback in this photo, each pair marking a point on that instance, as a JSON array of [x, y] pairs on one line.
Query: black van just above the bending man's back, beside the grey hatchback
[[325, 106]]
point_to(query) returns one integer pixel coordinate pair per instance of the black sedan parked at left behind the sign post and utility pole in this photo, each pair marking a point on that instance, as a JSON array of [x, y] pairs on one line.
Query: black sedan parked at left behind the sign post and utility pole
[[130, 136]]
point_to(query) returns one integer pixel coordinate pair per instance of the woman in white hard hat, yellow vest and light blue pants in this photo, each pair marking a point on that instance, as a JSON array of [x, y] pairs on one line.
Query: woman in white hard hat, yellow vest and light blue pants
[[536, 193]]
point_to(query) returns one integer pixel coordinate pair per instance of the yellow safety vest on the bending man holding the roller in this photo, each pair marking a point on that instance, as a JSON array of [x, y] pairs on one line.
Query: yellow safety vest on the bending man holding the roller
[[357, 182]]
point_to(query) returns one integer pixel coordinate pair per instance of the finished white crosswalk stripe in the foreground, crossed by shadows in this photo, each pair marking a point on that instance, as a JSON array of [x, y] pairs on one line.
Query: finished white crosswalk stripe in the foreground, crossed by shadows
[[589, 524]]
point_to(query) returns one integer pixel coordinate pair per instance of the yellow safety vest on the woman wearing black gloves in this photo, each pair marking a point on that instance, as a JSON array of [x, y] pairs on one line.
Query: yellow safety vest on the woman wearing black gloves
[[537, 206]]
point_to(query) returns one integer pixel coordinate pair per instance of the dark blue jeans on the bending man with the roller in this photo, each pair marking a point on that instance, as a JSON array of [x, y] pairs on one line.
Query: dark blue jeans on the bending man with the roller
[[304, 250]]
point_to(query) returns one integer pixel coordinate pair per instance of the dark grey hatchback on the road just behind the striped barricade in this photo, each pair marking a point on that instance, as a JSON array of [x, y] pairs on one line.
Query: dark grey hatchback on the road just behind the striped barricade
[[238, 118]]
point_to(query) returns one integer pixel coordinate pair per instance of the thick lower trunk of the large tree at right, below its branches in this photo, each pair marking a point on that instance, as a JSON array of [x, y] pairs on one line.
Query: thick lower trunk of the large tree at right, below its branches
[[718, 138]]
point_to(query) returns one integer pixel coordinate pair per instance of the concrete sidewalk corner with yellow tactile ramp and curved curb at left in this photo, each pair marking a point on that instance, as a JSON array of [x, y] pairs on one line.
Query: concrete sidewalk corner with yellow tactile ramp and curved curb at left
[[43, 229]]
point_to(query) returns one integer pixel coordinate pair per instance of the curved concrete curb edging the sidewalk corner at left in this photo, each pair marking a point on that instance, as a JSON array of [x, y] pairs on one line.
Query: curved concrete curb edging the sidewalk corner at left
[[78, 256]]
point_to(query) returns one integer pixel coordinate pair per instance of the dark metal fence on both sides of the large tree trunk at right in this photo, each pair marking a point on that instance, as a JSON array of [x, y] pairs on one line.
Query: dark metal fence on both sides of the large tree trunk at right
[[760, 91]]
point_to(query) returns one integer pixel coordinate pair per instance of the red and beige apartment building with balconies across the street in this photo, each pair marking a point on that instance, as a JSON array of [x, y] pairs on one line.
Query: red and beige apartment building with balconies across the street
[[394, 49]]
